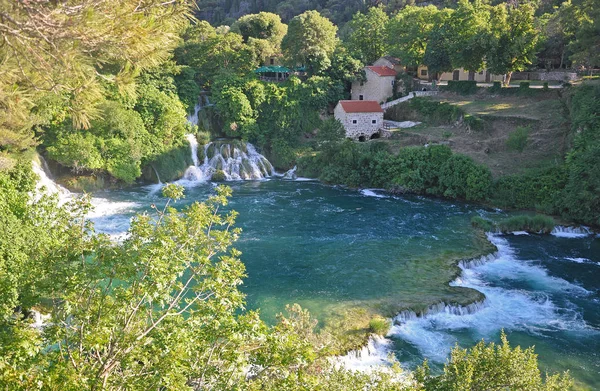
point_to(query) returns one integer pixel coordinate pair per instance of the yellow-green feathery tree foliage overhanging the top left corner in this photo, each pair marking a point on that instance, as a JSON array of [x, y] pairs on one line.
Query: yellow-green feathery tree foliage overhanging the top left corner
[[66, 49]]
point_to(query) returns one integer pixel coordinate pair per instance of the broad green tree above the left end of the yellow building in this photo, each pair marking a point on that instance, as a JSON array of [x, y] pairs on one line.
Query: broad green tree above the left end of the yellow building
[[409, 30]]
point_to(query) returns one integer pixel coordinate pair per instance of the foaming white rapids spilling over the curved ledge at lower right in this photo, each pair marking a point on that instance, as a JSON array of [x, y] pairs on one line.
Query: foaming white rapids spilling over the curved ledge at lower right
[[530, 310]]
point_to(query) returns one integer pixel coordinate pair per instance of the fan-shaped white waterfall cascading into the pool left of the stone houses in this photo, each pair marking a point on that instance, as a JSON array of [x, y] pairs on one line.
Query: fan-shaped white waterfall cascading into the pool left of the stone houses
[[230, 160]]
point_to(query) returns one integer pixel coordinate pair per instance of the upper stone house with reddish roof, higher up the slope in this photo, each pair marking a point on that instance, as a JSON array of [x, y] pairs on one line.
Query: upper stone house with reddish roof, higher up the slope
[[379, 85]]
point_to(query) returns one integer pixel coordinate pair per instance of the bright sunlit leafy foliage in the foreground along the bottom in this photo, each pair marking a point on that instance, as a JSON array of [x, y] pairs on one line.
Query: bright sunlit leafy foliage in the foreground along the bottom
[[162, 310]]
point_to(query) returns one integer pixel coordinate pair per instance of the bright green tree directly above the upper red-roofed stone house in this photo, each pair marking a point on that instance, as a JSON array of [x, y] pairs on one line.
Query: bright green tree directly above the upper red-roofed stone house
[[367, 38]]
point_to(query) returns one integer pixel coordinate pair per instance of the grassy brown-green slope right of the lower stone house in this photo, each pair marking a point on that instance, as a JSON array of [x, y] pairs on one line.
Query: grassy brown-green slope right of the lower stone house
[[542, 114]]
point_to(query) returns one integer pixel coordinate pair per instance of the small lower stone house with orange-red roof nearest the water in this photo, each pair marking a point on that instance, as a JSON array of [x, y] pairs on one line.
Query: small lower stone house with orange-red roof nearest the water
[[361, 119]]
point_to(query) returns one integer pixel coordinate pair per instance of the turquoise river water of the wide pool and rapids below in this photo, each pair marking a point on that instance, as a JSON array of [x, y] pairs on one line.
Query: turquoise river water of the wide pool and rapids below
[[330, 248]]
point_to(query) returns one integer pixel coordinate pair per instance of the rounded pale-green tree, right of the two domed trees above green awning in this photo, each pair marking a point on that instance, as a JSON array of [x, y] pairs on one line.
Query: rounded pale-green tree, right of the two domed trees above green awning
[[310, 41]]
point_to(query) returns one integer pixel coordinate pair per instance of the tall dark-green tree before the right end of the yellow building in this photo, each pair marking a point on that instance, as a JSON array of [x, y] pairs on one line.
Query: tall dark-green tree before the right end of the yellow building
[[512, 39]]
